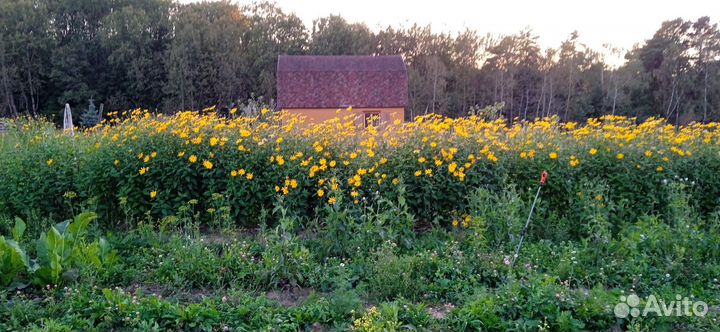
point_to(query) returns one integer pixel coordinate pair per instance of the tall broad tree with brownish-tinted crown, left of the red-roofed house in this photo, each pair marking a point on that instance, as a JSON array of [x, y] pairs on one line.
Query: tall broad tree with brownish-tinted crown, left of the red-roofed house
[[203, 62]]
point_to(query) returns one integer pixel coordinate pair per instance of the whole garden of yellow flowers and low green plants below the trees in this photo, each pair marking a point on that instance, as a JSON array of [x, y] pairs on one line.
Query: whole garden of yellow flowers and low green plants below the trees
[[196, 221]]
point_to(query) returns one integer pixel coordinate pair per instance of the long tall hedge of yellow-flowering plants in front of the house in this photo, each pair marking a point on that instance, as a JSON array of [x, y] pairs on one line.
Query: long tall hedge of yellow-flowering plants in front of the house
[[151, 164]]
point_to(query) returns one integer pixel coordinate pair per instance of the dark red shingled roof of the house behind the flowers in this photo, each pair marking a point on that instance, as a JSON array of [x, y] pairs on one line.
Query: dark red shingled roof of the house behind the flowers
[[341, 81]]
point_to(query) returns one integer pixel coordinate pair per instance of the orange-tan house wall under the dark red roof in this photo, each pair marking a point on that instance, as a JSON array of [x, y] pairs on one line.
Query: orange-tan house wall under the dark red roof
[[318, 115]]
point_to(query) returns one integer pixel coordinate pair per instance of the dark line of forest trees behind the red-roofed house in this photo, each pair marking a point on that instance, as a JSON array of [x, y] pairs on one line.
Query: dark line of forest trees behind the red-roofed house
[[166, 56]]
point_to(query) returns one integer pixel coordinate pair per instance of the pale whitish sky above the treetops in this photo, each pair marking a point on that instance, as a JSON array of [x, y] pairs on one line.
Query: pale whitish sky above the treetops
[[621, 23]]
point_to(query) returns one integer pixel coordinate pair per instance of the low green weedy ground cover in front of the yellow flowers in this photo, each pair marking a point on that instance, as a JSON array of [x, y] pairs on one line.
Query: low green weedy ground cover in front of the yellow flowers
[[442, 279]]
